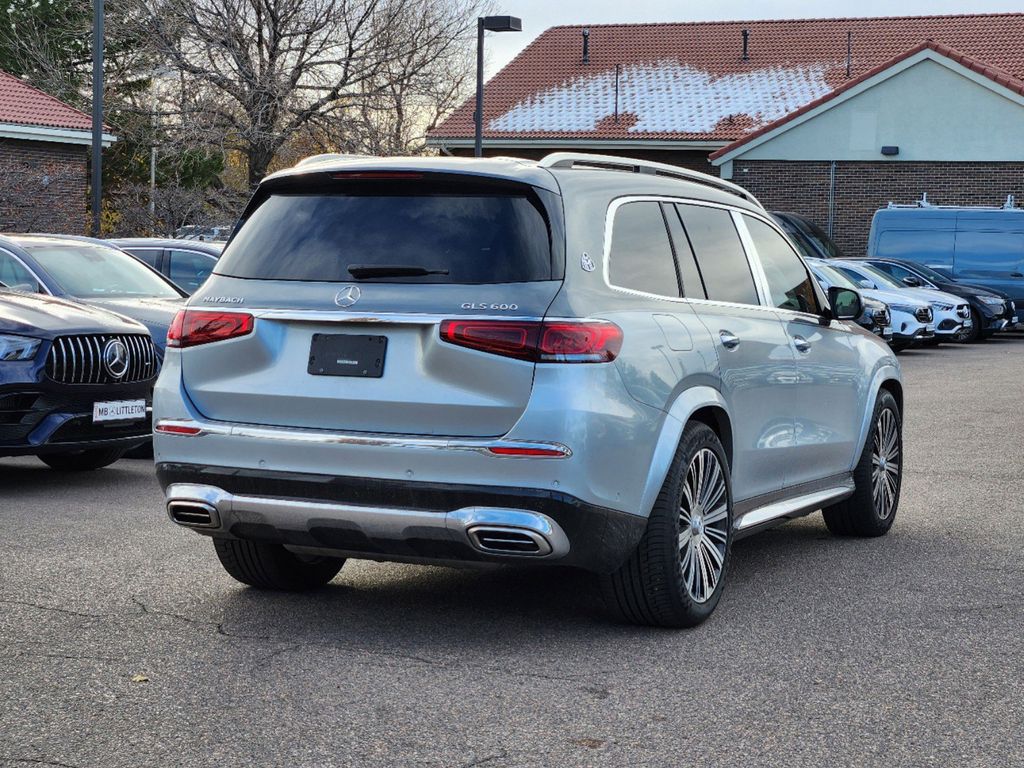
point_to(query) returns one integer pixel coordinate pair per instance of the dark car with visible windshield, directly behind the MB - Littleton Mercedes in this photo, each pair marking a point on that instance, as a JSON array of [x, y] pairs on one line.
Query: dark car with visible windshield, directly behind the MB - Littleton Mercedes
[[94, 273]]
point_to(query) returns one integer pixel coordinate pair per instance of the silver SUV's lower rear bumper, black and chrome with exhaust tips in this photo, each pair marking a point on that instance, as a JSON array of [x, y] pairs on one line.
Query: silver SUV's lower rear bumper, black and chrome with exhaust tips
[[400, 520]]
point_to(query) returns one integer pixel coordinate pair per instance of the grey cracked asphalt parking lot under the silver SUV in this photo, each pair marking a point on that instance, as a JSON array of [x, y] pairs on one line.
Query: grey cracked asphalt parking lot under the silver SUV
[[123, 643]]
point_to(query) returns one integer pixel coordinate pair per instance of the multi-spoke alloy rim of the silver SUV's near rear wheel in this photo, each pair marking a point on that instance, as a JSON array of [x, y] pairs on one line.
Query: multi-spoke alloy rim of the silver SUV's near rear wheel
[[704, 526]]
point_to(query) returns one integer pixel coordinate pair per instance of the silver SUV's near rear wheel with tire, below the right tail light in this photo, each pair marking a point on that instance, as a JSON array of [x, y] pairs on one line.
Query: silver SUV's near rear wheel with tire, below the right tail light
[[660, 586]]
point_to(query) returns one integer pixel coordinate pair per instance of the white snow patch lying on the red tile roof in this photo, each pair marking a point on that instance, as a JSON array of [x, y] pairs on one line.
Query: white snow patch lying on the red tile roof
[[667, 97]]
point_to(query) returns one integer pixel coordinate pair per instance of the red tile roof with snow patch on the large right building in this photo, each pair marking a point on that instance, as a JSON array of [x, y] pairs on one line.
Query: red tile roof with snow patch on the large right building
[[690, 82]]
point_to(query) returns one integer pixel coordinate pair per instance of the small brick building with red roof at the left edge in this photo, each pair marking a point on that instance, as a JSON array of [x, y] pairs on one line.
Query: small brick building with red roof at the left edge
[[45, 146]]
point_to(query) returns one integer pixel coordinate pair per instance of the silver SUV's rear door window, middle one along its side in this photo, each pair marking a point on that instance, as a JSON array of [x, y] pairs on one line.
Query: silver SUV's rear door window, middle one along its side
[[719, 254]]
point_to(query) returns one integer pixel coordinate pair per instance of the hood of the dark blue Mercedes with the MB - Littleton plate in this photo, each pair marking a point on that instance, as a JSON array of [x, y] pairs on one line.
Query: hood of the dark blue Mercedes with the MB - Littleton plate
[[46, 317]]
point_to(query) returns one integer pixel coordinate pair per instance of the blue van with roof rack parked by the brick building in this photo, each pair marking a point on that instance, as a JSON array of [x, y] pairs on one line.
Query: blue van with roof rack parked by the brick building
[[983, 246]]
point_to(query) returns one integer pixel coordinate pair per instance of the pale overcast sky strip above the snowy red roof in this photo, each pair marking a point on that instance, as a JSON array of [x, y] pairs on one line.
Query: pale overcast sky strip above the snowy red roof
[[540, 15]]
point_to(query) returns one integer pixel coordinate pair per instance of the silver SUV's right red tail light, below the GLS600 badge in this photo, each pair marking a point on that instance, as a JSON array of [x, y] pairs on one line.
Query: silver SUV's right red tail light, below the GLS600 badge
[[550, 342]]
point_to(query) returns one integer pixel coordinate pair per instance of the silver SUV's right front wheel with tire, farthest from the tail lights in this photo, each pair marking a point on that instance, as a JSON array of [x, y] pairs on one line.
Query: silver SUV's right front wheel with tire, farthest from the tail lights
[[872, 509]]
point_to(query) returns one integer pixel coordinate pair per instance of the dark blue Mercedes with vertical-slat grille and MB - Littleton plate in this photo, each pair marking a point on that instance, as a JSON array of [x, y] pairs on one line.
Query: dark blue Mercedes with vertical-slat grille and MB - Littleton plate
[[75, 382]]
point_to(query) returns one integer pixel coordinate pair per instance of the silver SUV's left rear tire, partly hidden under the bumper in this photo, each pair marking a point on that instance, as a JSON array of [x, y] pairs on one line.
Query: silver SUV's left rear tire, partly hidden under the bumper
[[272, 567]]
